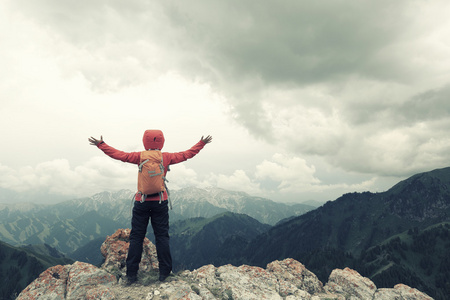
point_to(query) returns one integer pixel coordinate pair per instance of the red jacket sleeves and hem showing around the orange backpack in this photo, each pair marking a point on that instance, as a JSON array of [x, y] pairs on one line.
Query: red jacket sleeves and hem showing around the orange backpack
[[168, 159]]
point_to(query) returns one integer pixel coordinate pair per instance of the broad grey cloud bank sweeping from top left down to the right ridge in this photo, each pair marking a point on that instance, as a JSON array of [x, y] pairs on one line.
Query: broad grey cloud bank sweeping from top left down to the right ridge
[[359, 83]]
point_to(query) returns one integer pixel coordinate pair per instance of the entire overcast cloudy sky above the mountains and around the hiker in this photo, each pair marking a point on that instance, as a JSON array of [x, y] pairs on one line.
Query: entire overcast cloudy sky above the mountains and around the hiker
[[304, 99]]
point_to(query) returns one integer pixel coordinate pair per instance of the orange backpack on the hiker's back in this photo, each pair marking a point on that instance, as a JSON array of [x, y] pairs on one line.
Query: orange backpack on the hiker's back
[[151, 174]]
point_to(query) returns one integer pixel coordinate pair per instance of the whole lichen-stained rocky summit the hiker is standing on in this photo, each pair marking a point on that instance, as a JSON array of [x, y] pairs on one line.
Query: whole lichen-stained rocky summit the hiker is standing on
[[287, 279]]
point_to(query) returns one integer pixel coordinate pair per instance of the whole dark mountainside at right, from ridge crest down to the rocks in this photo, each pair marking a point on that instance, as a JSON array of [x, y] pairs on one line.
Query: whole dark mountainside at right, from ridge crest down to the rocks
[[402, 233]]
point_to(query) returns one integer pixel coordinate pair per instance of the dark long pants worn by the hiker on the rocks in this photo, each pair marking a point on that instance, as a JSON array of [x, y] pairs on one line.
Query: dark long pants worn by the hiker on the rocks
[[159, 216]]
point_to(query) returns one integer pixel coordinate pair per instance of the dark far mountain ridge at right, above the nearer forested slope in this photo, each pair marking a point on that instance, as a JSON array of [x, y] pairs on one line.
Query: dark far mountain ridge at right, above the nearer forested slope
[[358, 221]]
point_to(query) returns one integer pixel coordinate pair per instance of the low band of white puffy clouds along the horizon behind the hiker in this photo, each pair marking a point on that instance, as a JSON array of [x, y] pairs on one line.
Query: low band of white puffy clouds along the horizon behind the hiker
[[280, 178]]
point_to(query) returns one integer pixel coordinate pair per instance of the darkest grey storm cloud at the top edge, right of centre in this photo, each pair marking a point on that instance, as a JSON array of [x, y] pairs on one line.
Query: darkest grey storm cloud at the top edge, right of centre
[[295, 42]]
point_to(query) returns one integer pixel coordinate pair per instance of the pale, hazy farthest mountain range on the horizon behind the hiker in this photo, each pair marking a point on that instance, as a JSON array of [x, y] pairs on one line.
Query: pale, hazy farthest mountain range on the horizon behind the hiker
[[69, 225]]
